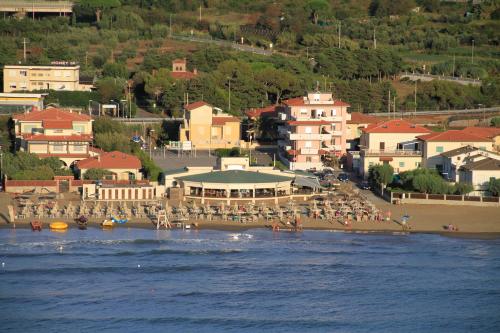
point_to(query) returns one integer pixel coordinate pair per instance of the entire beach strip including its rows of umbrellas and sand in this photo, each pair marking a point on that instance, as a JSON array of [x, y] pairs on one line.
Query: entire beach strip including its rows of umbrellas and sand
[[344, 211]]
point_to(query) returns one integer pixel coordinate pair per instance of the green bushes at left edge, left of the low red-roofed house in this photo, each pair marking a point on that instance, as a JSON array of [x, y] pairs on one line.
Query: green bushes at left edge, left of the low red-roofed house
[[26, 166]]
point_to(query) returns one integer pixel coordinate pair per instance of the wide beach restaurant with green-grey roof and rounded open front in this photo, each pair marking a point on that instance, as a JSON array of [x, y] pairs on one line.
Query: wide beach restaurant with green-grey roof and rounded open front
[[235, 181]]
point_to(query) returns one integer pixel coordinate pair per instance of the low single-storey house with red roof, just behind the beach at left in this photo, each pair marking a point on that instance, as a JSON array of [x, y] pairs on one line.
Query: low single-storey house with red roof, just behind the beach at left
[[123, 166]]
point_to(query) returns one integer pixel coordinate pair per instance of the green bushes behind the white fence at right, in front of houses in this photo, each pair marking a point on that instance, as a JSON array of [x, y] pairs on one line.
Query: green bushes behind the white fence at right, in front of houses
[[429, 181]]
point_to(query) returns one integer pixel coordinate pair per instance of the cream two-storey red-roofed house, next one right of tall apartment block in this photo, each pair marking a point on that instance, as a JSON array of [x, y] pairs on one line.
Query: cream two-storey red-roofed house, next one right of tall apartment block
[[391, 142]]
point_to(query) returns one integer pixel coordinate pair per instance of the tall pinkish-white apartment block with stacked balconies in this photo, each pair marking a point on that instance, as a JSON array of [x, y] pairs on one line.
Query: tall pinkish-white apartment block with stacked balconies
[[314, 125]]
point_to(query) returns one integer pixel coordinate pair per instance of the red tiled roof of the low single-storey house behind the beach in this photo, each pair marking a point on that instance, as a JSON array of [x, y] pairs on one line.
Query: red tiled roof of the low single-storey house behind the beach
[[111, 160]]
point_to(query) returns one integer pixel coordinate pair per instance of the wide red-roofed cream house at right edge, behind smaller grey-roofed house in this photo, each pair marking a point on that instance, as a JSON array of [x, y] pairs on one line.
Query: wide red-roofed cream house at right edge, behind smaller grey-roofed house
[[434, 144]]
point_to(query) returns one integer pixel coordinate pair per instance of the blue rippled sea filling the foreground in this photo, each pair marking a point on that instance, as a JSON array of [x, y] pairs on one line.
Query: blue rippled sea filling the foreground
[[132, 280]]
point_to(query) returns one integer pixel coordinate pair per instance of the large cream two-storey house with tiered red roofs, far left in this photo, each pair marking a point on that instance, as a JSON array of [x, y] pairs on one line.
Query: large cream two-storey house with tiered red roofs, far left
[[54, 133]]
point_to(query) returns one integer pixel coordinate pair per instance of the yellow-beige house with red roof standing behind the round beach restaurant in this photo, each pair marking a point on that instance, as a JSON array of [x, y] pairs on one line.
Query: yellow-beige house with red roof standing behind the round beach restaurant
[[206, 127]]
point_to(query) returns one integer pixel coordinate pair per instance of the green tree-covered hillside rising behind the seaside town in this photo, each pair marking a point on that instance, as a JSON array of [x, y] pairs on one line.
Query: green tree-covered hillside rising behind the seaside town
[[354, 48]]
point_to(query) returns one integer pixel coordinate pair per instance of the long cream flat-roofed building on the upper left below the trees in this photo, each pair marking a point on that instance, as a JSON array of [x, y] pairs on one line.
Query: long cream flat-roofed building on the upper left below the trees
[[55, 77]]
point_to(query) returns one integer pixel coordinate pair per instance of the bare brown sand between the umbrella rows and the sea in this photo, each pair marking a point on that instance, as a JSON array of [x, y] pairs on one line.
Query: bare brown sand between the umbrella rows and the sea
[[423, 218]]
